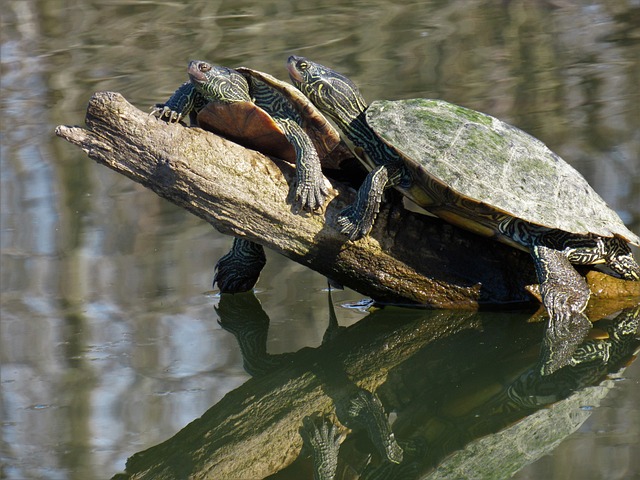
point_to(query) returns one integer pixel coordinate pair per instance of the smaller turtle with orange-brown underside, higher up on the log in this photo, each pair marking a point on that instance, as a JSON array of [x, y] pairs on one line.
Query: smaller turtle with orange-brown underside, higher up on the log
[[263, 113]]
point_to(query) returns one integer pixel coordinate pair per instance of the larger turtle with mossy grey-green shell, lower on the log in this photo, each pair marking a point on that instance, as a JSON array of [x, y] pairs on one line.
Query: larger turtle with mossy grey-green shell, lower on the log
[[480, 174]]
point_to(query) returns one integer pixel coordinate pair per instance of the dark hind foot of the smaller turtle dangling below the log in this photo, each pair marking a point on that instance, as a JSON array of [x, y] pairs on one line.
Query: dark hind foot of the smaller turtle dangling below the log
[[238, 270]]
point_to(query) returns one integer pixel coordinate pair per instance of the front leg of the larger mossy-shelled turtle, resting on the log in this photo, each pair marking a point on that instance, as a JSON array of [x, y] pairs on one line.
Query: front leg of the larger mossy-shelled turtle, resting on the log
[[357, 220]]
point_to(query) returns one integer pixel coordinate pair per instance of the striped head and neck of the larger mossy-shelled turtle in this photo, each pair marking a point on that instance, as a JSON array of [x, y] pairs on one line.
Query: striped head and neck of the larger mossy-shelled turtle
[[333, 93]]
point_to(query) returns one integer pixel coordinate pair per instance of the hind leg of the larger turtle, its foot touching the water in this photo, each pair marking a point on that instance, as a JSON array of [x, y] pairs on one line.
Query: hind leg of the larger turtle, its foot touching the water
[[564, 291]]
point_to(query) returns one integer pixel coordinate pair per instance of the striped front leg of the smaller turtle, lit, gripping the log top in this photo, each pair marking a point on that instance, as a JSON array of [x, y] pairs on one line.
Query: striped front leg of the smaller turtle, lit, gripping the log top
[[310, 188]]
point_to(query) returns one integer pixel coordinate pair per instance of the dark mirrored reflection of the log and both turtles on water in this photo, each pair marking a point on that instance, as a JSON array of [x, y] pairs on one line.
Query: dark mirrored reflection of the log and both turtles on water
[[464, 391]]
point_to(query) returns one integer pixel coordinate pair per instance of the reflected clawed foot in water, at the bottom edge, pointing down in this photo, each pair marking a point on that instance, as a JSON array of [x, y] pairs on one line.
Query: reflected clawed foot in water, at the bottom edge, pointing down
[[323, 439]]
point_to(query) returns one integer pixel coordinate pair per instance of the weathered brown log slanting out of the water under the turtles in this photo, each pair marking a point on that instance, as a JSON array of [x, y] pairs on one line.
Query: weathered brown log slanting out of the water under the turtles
[[408, 257]]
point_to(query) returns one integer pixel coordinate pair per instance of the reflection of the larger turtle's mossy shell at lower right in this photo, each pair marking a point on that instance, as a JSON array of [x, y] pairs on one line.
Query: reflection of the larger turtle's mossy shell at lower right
[[570, 395]]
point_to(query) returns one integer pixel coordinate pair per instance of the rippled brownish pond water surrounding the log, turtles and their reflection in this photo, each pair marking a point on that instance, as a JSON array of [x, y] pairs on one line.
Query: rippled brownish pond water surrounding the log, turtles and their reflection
[[110, 343]]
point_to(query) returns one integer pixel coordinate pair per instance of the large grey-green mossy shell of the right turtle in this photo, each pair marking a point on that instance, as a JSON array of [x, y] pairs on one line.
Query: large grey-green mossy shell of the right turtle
[[490, 164]]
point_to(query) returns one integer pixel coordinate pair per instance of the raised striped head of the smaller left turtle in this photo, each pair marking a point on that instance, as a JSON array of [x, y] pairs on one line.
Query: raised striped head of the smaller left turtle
[[218, 83]]
